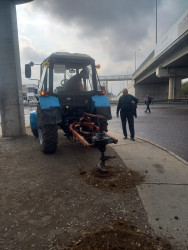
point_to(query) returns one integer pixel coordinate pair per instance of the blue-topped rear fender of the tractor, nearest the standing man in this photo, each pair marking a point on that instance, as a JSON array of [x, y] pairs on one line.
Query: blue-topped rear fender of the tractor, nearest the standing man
[[101, 106]]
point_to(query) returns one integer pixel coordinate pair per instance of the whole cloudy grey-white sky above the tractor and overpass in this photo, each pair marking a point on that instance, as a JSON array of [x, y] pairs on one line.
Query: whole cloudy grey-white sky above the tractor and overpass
[[110, 31]]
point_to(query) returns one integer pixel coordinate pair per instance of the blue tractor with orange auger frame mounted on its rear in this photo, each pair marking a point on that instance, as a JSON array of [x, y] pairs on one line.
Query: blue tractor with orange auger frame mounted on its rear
[[72, 99]]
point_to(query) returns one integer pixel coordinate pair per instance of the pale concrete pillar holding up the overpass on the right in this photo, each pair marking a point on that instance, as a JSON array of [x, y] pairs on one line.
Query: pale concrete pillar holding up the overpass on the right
[[174, 88]]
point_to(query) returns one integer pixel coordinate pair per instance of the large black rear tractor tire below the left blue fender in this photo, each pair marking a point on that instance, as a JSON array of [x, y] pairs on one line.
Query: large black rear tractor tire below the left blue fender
[[48, 138]]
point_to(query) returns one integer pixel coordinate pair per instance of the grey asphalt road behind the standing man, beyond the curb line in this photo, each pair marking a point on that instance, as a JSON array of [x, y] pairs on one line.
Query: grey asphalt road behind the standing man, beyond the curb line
[[166, 125]]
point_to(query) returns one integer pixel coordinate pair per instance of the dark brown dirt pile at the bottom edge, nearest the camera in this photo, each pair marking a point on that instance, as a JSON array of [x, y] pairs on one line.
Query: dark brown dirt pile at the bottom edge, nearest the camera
[[121, 235]]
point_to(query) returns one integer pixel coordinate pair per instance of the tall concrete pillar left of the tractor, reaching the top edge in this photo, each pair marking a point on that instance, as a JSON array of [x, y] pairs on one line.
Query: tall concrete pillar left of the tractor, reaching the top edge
[[12, 110]]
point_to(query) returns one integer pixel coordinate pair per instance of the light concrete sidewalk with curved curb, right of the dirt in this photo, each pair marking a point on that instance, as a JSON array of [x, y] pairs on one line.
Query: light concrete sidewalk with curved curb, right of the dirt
[[164, 192]]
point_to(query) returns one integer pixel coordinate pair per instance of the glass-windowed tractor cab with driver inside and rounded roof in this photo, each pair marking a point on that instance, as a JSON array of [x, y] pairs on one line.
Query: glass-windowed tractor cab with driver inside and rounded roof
[[64, 72]]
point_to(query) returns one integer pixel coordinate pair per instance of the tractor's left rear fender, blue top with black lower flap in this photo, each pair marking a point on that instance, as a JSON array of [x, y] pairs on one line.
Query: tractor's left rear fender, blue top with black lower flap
[[48, 111]]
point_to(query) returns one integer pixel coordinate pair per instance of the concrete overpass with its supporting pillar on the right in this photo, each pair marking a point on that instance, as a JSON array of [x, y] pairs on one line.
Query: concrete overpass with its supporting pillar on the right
[[161, 73]]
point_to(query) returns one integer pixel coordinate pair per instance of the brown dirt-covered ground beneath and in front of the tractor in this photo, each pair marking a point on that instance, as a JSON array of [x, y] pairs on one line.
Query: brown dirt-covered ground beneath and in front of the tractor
[[61, 201]]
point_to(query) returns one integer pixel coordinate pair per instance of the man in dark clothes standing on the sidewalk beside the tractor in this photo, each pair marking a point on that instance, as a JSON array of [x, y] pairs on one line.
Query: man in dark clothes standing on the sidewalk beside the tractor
[[125, 106]]
